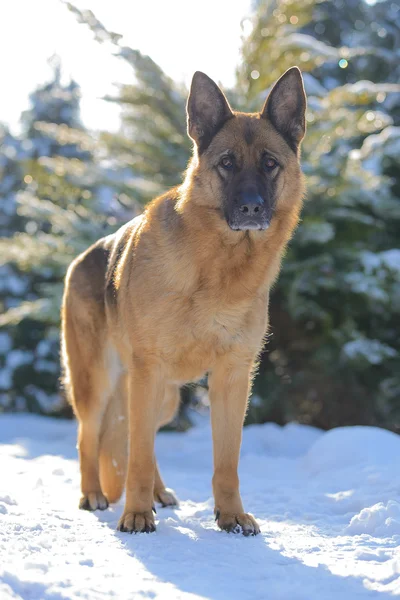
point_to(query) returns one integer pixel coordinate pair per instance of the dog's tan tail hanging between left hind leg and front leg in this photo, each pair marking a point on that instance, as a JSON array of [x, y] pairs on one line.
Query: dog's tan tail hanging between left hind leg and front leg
[[113, 455]]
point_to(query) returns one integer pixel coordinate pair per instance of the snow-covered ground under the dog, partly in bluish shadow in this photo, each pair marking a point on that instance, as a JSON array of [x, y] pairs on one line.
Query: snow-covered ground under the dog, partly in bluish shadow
[[327, 504]]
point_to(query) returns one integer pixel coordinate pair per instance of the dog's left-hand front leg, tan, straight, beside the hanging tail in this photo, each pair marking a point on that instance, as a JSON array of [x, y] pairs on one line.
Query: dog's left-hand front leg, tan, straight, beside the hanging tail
[[146, 392]]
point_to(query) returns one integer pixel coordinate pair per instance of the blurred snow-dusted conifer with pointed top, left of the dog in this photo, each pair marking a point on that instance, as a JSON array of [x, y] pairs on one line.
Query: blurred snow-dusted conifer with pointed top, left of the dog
[[54, 199]]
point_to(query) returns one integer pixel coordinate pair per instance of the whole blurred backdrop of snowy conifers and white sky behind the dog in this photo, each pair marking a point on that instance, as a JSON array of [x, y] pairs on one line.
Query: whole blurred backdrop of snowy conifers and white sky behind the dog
[[75, 166]]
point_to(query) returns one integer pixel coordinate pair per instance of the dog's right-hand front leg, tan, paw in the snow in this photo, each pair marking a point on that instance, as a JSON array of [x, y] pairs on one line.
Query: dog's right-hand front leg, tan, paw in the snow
[[229, 390]]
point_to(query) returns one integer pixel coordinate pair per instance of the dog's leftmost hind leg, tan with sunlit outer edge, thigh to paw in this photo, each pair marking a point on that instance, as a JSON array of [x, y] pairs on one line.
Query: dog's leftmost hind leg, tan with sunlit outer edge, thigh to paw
[[85, 374]]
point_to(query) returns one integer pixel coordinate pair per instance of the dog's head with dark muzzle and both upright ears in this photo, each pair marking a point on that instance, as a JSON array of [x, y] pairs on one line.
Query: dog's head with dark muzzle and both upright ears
[[247, 164]]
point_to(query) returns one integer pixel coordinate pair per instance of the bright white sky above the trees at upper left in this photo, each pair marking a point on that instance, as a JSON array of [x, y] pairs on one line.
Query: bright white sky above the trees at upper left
[[182, 36]]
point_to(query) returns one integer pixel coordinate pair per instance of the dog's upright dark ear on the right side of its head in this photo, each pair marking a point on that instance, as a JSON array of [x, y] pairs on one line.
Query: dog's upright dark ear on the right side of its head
[[286, 105]]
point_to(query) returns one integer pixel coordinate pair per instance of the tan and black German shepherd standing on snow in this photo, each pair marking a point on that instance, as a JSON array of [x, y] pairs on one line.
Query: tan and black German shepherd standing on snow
[[180, 291]]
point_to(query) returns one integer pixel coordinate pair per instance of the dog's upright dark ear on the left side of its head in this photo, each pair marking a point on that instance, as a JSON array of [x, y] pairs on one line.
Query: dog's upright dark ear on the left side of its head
[[207, 110]]
